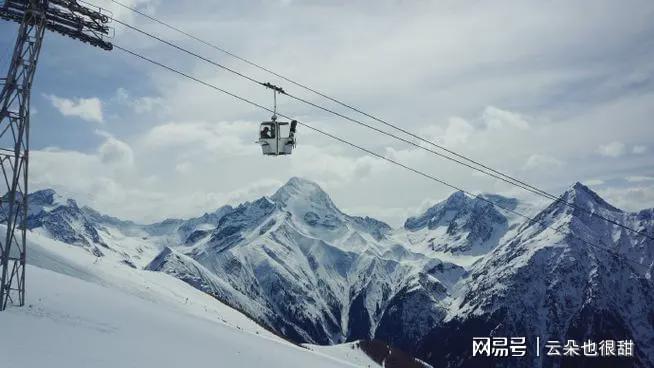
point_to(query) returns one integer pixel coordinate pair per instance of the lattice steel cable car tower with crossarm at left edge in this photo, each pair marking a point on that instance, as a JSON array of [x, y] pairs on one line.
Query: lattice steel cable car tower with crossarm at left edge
[[68, 18]]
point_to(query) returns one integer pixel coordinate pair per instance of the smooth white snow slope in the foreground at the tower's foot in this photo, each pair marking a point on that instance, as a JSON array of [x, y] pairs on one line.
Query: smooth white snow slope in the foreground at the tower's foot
[[89, 313]]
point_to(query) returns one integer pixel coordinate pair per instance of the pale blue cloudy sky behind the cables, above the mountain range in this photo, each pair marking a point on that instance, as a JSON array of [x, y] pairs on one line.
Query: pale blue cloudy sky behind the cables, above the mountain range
[[551, 92]]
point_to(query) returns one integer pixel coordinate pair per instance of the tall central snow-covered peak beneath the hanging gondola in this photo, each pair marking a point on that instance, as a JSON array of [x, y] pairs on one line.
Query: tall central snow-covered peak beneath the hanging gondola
[[306, 269]]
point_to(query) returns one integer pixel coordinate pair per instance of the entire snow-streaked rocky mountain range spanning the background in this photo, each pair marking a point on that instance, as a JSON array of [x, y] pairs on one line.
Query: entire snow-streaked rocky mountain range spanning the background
[[301, 267]]
